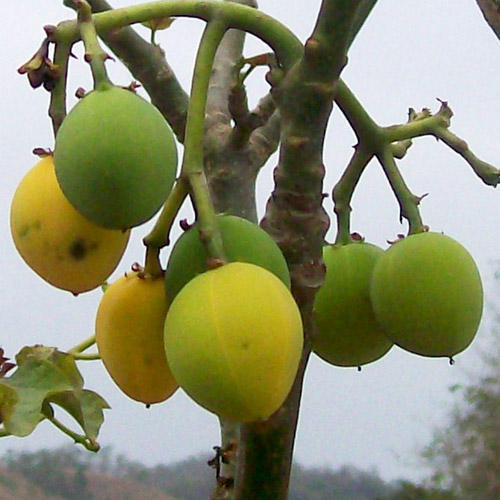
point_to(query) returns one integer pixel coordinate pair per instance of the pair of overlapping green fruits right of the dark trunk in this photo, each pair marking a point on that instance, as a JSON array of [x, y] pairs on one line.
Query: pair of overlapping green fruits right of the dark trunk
[[424, 294]]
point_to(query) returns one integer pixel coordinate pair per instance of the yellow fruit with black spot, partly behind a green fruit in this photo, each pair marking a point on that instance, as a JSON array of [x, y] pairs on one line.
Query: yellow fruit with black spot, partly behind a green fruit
[[58, 243]]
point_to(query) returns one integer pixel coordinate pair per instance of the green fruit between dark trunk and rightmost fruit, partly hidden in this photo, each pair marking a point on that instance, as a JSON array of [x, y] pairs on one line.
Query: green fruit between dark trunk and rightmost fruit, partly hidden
[[347, 332]]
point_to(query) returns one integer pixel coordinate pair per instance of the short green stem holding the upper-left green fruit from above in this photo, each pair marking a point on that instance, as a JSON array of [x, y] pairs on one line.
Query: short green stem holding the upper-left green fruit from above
[[94, 54]]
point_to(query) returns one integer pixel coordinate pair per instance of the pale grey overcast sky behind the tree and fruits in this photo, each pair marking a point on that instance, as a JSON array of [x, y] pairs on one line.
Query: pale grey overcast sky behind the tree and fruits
[[408, 54]]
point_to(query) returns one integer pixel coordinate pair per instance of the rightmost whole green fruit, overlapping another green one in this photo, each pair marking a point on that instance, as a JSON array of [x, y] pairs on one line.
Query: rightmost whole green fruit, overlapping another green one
[[427, 294]]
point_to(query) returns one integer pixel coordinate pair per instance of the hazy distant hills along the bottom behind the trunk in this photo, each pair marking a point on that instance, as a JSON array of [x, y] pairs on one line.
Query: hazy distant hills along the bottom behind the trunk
[[70, 473]]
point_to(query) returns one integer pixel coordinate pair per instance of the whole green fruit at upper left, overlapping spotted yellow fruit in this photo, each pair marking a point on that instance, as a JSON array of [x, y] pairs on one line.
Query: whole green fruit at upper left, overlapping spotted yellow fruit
[[115, 158]]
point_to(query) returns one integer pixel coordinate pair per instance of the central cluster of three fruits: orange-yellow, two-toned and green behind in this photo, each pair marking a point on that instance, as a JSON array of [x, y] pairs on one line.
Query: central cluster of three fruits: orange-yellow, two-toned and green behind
[[231, 337]]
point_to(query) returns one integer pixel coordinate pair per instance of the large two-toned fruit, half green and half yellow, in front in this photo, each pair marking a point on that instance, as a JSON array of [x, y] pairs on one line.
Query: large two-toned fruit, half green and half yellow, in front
[[233, 338]]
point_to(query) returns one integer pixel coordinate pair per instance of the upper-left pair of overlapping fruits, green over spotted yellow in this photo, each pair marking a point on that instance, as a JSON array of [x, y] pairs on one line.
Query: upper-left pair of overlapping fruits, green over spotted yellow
[[113, 167]]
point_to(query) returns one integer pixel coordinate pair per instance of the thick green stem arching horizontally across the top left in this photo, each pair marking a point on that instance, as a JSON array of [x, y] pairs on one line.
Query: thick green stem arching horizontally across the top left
[[286, 45]]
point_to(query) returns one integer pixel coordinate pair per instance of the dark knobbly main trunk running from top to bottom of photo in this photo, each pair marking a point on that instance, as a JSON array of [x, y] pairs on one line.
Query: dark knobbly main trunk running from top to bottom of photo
[[297, 221]]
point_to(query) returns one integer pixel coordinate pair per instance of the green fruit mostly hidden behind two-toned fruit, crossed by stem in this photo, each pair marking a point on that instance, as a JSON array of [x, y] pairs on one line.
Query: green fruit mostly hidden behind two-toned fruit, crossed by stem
[[243, 242]]
